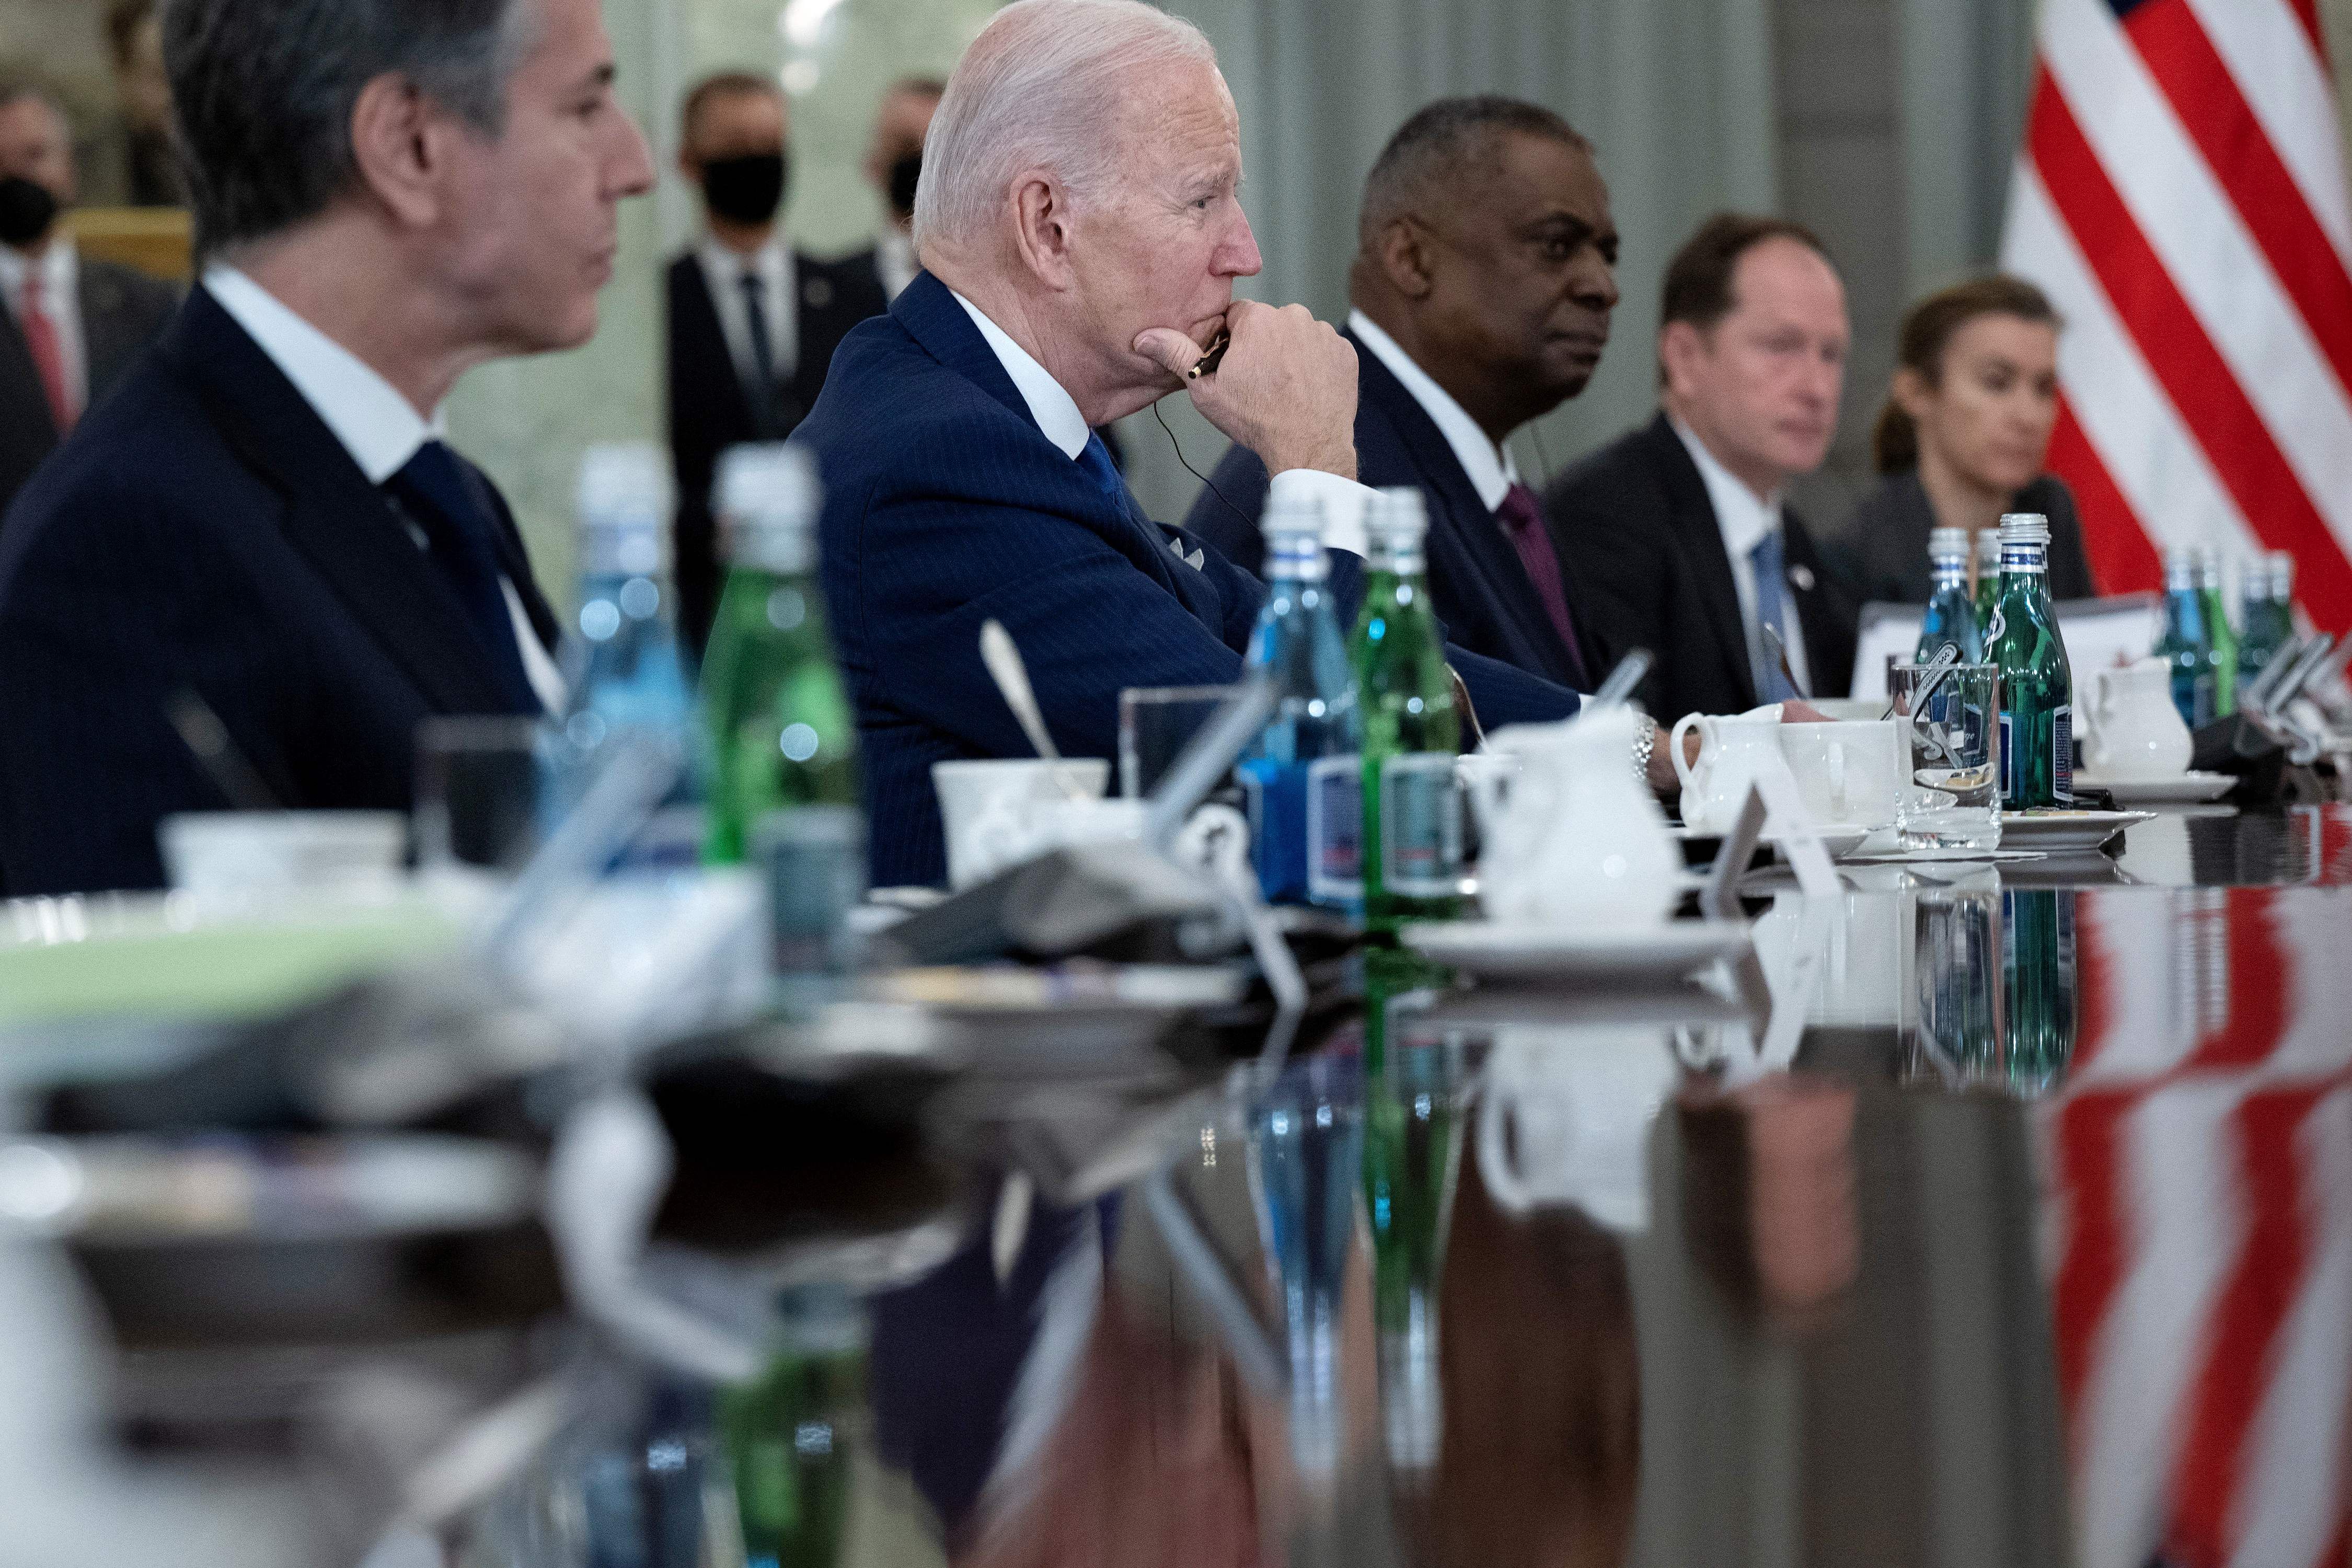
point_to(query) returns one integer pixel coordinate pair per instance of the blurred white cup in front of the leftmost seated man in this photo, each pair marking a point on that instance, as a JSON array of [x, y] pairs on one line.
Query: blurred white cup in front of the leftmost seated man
[[253, 852]]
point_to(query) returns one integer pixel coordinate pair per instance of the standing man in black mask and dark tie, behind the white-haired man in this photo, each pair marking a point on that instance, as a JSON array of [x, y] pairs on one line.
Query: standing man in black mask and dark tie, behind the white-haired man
[[754, 323]]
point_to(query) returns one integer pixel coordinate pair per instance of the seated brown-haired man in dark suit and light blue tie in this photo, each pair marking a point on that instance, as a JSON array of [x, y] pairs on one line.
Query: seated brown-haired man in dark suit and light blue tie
[[1676, 532]]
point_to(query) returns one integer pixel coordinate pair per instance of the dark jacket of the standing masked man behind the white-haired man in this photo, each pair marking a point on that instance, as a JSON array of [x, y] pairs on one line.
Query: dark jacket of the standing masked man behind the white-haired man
[[711, 410]]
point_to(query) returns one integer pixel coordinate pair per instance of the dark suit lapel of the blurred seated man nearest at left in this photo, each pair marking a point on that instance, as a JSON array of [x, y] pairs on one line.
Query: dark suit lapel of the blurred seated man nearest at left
[[335, 518]]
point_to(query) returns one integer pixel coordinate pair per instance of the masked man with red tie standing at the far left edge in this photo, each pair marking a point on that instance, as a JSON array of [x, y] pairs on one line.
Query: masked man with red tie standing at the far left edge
[[69, 326]]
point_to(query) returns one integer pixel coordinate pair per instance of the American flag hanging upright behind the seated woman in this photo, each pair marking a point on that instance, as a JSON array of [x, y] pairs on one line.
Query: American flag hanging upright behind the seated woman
[[2181, 199]]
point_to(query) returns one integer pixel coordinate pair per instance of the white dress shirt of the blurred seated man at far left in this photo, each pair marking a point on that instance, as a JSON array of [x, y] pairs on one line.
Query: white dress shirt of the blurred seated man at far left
[[375, 424]]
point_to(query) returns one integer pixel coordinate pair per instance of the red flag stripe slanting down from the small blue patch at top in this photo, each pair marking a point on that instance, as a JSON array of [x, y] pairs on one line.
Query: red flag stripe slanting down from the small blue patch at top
[[2252, 173]]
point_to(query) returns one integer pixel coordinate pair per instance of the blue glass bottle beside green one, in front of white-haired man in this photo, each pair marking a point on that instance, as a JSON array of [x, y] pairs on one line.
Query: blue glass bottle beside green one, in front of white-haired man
[[1304, 775]]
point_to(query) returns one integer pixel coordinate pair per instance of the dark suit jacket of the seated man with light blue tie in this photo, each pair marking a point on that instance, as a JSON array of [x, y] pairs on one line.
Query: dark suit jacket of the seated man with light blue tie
[[1638, 535]]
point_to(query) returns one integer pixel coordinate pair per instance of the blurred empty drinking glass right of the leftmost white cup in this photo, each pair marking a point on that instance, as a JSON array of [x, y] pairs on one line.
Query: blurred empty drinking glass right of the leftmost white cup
[[479, 791]]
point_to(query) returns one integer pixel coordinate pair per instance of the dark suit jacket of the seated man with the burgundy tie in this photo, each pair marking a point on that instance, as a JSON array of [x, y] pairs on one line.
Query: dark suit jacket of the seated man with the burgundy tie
[[1476, 577]]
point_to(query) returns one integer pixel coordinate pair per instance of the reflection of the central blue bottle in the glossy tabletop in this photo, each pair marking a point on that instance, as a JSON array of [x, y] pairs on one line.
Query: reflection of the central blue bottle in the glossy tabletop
[[1307, 1165]]
